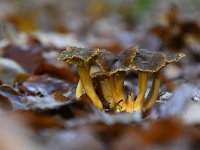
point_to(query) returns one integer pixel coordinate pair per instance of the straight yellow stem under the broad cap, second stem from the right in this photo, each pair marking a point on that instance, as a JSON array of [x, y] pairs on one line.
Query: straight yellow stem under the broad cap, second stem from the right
[[142, 86]]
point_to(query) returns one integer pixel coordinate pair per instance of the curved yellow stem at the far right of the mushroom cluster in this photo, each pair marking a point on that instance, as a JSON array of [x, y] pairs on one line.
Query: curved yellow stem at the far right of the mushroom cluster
[[153, 94]]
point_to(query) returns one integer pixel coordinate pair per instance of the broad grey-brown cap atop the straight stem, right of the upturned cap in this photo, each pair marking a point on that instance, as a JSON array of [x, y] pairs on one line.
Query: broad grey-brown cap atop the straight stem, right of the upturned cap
[[147, 61]]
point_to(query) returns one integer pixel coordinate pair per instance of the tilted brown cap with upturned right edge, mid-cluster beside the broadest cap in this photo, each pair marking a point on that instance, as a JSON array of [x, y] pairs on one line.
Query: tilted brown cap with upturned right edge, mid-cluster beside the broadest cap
[[125, 59]]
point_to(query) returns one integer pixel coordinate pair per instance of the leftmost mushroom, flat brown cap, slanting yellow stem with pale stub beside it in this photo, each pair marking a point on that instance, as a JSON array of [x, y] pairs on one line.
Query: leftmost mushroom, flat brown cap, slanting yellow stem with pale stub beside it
[[82, 58]]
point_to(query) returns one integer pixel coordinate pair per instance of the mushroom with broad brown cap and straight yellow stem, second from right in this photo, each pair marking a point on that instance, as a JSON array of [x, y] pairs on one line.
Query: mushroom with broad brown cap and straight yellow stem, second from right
[[146, 62]]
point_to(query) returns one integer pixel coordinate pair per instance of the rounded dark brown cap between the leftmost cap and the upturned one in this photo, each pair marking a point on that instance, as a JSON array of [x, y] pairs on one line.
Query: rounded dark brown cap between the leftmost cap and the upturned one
[[105, 59]]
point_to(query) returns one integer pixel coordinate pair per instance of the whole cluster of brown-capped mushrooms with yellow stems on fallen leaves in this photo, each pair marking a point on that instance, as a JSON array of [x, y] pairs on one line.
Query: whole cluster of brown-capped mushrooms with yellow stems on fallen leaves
[[102, 75]]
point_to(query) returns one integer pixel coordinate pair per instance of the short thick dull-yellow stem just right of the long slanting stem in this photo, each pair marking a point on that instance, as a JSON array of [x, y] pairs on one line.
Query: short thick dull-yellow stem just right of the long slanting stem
[[107, 93]]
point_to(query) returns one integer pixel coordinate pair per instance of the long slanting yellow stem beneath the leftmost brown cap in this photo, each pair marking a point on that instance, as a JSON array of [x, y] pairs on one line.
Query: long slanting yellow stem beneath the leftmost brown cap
[[88, 85]]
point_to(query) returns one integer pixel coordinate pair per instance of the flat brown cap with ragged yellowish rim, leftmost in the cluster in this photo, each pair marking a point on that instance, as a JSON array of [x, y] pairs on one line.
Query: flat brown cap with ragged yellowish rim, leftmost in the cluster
[[75, 55]]
